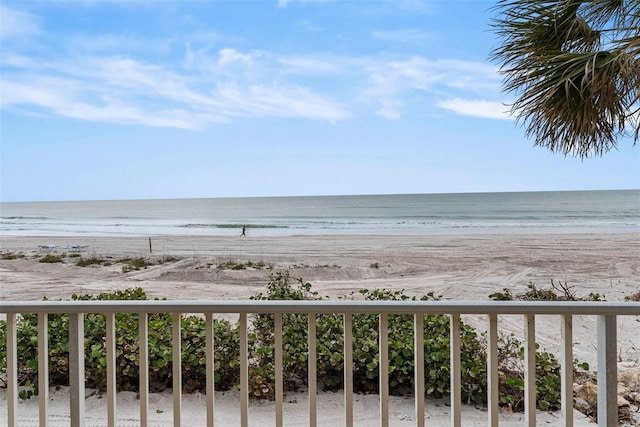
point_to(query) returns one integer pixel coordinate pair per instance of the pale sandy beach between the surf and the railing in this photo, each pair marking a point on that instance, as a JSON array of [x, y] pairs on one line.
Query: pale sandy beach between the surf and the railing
[[456, 267]]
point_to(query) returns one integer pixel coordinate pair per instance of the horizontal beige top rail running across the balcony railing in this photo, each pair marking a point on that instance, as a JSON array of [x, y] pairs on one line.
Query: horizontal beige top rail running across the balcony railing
[[324, 306]]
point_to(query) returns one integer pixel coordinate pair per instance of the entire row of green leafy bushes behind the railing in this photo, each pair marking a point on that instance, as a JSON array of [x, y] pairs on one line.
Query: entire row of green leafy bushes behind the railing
[[329, 352]]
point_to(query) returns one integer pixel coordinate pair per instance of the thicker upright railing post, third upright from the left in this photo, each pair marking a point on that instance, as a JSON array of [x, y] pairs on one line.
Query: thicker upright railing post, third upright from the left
[[76, 369]]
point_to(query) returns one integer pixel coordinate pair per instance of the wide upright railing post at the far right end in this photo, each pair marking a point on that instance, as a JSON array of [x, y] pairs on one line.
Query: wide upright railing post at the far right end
[[607, 371]]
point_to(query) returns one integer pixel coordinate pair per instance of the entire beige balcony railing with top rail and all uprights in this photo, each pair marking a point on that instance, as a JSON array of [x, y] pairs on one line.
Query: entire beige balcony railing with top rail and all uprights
[[606, 344]]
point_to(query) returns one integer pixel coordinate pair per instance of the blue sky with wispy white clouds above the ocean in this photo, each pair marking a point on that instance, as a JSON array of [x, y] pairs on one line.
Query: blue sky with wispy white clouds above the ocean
[[141, 99]]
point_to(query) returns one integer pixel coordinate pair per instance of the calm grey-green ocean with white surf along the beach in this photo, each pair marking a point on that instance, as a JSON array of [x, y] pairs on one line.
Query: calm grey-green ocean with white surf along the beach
[[611, 211]]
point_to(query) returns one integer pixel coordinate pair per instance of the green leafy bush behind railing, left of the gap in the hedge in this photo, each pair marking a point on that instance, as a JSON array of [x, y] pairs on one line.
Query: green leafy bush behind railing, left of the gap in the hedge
[[127, 359]]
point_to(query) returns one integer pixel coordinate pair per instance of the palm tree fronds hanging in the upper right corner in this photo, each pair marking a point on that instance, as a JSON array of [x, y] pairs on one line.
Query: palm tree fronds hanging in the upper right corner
[[575, 68]]
